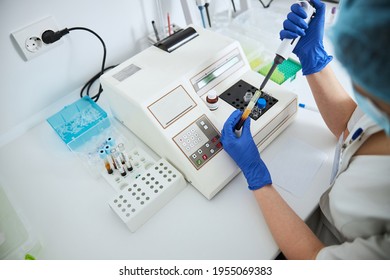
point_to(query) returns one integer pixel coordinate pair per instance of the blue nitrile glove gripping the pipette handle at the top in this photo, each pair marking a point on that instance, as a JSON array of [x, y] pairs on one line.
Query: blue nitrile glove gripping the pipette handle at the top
[[310, 49]]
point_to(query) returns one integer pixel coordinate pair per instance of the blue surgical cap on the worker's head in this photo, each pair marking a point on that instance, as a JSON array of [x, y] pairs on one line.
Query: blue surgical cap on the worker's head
[[361, 39]]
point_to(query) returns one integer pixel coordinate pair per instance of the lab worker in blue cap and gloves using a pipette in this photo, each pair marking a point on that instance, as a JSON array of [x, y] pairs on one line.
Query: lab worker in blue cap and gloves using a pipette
[[353, 221]]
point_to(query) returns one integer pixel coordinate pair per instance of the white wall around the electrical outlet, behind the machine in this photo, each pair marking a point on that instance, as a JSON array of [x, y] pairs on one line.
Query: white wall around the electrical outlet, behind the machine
[[27, 87]]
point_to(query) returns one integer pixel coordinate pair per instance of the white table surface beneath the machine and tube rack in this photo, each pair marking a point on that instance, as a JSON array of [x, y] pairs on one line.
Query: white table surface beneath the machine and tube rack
[[68, 208]]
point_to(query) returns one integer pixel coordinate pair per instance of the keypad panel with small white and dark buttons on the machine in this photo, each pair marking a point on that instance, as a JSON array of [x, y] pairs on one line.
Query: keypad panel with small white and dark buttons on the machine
[[200, 141]]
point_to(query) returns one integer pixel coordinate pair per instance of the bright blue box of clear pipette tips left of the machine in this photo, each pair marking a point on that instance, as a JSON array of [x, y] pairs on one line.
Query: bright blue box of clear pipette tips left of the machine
[[76, 123]]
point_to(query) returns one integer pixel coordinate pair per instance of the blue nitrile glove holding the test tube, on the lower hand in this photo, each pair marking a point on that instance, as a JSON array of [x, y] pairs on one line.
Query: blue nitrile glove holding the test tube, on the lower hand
[[244, 152]]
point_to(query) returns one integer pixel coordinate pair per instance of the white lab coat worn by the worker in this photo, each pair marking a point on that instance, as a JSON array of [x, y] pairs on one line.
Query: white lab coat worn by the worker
[[356, 209]]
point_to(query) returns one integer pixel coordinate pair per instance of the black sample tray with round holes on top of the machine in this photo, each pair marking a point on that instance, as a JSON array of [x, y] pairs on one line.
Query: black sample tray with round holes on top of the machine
[[235, 97]]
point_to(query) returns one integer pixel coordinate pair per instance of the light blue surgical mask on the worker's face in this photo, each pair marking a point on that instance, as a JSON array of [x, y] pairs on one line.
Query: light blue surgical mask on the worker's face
[[381, 118]]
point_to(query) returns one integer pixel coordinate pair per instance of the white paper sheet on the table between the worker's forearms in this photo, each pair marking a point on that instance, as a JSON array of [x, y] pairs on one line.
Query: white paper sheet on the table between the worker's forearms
[[295, 166]]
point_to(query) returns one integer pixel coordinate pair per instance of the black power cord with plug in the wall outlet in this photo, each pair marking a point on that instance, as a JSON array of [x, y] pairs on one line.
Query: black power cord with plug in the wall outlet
[[49, 37]]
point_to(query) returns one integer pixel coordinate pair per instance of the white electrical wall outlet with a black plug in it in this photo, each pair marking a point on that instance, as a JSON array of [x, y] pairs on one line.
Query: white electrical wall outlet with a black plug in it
[[29, 38]]
